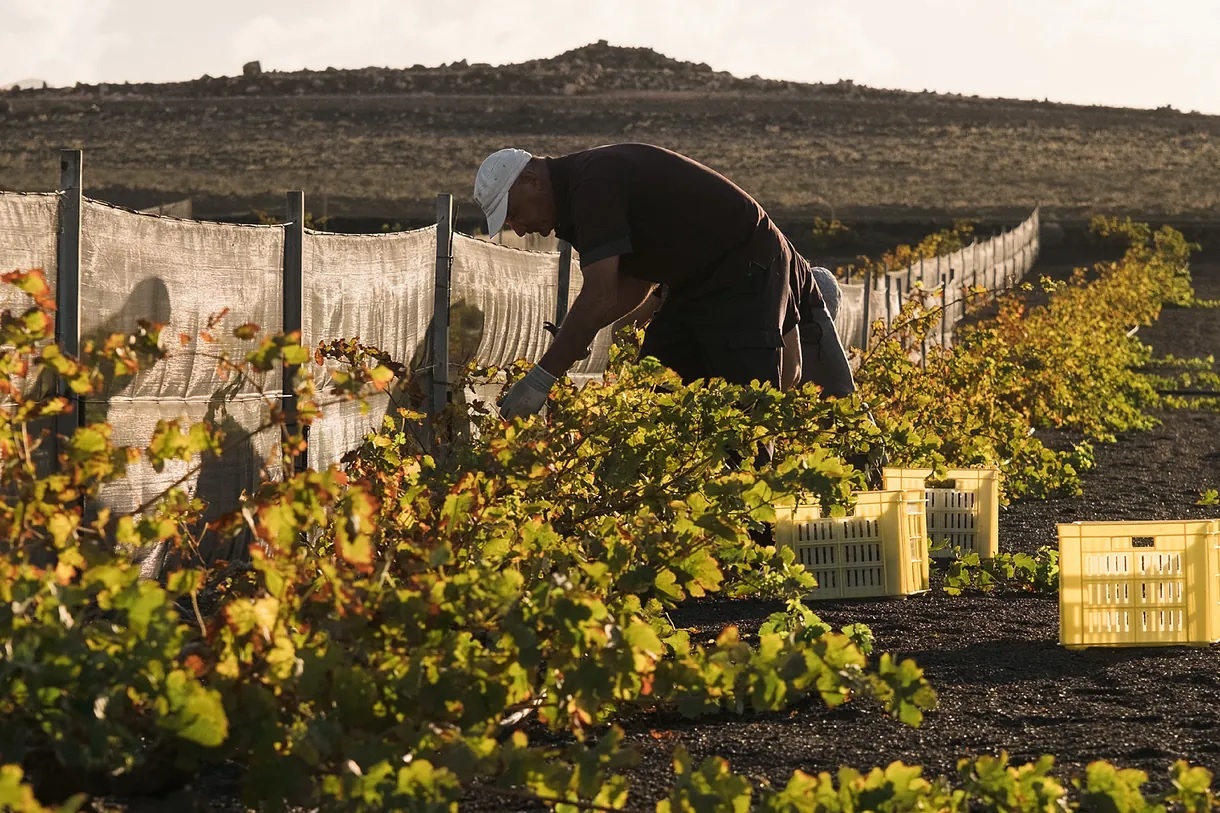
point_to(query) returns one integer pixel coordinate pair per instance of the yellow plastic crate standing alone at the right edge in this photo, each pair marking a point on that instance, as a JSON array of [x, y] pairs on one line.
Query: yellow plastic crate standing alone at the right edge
[[1139, 584]]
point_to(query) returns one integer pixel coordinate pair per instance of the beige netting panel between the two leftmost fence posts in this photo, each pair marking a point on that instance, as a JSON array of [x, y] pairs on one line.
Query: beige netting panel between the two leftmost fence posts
[[184, 275]]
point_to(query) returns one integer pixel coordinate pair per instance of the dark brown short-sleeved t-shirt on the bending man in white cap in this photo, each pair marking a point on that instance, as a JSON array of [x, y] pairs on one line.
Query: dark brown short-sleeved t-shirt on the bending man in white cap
[[669, 219]]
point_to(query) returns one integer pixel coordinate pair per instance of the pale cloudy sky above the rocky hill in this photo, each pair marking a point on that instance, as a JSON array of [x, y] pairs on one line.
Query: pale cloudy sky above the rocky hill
[[1121, 53]]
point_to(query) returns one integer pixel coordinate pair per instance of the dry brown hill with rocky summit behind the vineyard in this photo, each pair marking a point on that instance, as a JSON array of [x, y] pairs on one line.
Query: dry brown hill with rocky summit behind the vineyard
[[381, 143]]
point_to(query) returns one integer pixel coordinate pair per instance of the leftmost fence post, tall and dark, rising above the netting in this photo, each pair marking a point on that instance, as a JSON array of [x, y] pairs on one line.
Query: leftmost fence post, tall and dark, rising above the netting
[[68, 292]]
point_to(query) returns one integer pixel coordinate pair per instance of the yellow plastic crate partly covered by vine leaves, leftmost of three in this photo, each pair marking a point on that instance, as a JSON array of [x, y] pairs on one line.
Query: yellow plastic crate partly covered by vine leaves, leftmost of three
[[880, 550]]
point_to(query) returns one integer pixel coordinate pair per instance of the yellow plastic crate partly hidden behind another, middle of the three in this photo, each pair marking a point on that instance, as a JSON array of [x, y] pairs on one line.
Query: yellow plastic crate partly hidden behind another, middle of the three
[[963, 507]]
